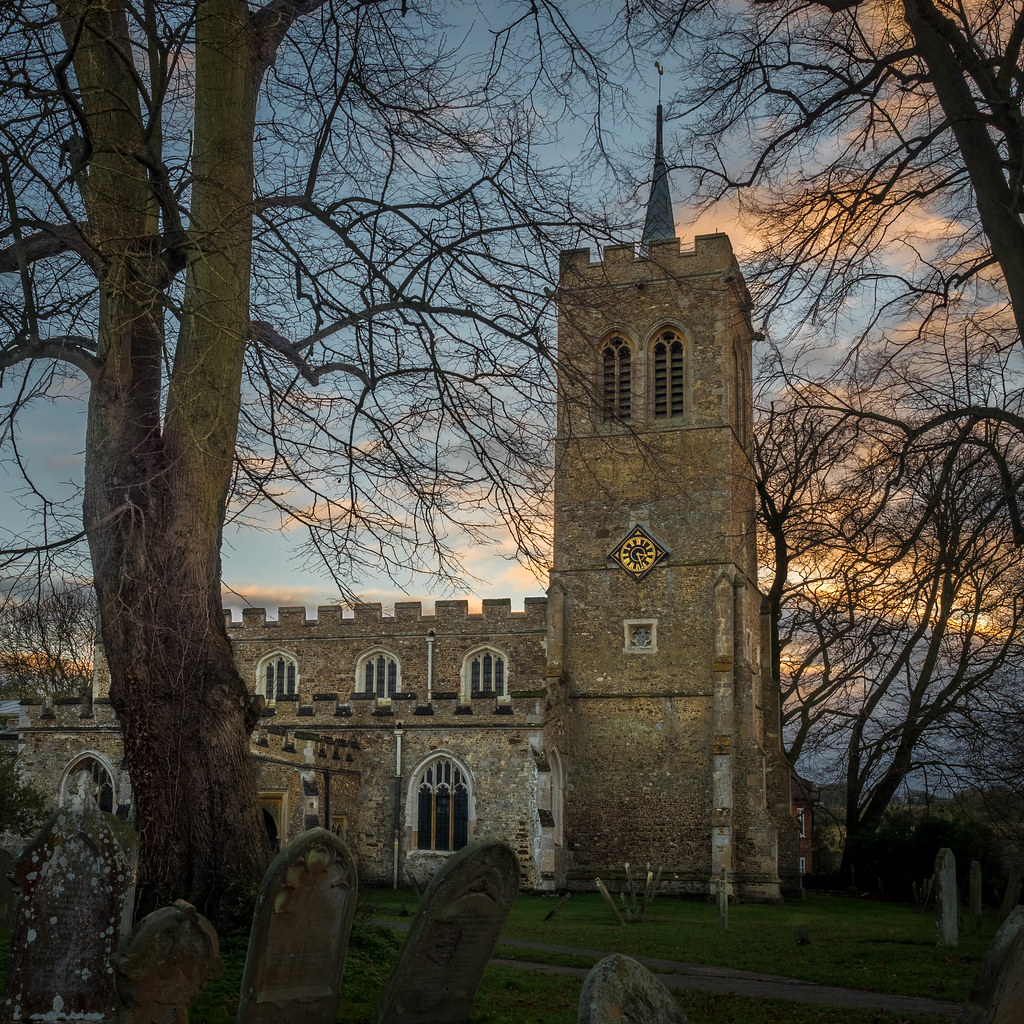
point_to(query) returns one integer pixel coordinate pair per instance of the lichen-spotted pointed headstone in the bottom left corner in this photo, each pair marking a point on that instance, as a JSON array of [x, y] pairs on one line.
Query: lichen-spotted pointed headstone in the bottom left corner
[[76, 890]]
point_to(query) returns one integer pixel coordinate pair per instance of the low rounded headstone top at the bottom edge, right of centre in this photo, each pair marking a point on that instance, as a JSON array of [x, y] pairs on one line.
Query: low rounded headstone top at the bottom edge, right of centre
[[619, 991]]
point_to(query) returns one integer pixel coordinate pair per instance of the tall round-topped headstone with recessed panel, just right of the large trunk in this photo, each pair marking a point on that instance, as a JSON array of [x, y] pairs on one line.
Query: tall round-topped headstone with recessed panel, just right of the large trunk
[[301, 933]]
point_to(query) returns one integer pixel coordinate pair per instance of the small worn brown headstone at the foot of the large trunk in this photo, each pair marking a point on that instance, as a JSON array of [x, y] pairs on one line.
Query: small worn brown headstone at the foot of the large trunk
[[164, 964]]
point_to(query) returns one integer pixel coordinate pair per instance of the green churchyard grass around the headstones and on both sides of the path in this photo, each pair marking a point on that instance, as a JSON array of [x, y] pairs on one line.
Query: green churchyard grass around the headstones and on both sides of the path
[[854, 945]]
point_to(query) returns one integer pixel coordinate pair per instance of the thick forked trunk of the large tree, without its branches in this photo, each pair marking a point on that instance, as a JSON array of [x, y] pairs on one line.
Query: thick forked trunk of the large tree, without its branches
[[157, 486]]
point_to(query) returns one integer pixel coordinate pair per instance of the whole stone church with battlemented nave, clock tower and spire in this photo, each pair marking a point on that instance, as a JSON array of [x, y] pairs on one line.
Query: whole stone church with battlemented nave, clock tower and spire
[[629, 716]]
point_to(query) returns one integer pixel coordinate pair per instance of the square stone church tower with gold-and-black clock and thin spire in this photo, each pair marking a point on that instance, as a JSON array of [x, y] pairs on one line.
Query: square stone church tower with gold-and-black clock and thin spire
[[666, 731]]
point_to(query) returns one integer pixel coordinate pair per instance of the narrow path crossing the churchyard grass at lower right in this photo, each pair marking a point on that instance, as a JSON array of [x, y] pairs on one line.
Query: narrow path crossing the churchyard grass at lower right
[[674, 974]]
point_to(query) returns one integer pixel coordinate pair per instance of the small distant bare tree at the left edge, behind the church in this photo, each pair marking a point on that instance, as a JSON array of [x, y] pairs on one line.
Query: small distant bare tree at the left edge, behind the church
[[47, 644]]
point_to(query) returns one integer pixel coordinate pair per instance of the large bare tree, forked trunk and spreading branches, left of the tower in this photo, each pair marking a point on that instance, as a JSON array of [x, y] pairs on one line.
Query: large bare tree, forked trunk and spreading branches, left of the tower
[[298, 253]]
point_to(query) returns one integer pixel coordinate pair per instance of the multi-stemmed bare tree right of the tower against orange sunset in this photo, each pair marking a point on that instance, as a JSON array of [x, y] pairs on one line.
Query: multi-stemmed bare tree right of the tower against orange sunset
[[899, 590]]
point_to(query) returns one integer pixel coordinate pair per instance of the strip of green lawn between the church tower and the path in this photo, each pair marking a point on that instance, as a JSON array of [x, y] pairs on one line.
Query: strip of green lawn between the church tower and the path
[[883, 948]]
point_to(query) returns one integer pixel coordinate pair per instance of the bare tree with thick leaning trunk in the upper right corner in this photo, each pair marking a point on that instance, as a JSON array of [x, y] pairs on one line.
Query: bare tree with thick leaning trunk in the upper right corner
[[877, 149]]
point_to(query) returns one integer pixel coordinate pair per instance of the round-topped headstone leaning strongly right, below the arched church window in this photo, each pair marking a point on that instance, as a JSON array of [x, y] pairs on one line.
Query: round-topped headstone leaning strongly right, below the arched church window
[[453, 936]]
